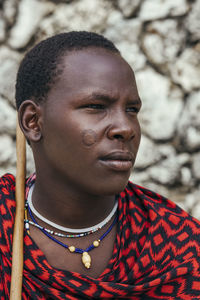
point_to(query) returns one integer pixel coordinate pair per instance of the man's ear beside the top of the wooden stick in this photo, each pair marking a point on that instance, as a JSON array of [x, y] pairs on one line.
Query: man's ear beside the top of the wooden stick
[[30, 120]]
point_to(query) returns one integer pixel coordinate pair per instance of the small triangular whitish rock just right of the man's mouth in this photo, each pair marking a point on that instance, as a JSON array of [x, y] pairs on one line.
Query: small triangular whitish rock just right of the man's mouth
[[148, 154]]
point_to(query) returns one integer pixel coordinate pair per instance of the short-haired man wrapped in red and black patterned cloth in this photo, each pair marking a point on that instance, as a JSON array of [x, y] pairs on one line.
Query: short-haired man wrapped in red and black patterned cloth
[[90, 233]]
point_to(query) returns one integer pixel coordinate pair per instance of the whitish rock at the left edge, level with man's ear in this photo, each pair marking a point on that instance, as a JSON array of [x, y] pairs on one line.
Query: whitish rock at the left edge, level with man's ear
[[7, 117]]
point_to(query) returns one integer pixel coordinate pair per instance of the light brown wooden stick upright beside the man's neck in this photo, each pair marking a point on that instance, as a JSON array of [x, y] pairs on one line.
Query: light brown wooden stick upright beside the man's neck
[[17, 252]]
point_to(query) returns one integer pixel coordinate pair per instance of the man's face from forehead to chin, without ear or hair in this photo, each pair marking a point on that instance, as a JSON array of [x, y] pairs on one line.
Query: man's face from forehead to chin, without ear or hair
[[91, 133]]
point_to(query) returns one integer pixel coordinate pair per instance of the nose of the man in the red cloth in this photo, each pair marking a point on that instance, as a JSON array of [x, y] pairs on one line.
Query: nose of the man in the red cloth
[[121, 128]]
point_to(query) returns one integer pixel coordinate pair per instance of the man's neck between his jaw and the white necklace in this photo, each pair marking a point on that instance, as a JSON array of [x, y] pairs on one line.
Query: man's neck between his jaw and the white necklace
[[67, 206]]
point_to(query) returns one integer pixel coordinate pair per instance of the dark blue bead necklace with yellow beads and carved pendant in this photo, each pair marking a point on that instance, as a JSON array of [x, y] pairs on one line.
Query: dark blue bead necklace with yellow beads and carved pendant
[[86, 258]]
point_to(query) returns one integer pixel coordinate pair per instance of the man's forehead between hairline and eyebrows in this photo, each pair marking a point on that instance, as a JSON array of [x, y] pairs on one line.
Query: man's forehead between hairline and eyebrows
[[91, 69]]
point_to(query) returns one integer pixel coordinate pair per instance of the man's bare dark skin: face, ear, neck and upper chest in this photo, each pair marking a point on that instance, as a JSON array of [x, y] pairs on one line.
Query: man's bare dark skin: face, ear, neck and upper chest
[[84, 137]]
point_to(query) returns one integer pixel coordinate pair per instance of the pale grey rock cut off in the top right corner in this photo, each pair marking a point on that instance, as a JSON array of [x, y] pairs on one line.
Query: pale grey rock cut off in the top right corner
[[193, 21]]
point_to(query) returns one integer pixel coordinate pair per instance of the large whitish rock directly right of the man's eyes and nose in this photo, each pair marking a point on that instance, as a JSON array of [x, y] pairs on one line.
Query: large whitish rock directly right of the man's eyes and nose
[[162, 104]]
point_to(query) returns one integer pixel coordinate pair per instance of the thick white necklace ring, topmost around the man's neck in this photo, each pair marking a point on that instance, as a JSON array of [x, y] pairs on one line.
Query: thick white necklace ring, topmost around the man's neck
[[65, 229]]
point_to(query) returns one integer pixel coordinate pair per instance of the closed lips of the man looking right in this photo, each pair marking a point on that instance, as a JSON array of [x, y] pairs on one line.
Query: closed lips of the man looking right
[[118, 161]]
